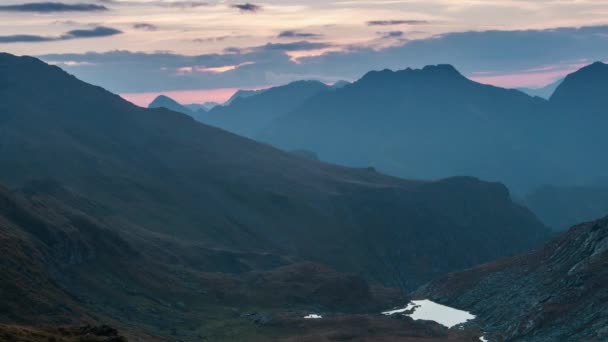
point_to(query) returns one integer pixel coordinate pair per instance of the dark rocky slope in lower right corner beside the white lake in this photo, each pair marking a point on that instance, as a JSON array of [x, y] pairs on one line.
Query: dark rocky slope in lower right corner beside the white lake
[[555, 294]]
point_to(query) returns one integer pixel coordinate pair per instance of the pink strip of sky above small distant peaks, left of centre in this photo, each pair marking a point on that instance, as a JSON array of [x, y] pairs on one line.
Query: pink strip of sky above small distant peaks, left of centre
[[219, 95]]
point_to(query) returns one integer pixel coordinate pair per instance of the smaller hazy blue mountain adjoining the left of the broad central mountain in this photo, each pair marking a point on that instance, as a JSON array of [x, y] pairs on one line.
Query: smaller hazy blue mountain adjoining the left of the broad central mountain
[[248, 113]]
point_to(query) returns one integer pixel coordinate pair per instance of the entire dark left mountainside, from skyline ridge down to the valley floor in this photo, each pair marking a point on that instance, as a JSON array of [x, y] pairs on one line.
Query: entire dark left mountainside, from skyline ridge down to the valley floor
[[156, 223]]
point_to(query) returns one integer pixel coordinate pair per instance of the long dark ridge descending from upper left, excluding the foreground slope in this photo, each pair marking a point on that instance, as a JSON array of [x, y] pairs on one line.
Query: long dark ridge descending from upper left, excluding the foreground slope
[[156, 175]]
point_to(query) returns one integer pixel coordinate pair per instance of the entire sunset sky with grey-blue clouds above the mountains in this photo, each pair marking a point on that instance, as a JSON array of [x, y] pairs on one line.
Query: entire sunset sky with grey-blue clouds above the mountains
[[204, 50]]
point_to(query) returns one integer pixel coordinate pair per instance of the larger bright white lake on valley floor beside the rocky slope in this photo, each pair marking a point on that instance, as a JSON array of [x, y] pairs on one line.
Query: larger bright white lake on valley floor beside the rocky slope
[[430, 311]]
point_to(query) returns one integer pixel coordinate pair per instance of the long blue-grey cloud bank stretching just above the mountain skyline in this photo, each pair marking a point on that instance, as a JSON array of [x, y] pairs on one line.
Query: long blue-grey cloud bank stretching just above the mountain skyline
[[495, 53]]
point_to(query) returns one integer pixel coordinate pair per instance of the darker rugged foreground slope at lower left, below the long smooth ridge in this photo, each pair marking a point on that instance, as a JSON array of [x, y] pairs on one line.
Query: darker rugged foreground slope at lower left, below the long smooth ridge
[[61, 266]]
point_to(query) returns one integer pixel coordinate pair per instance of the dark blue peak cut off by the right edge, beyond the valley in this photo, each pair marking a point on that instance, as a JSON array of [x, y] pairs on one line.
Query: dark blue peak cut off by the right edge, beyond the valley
[[579, 114]]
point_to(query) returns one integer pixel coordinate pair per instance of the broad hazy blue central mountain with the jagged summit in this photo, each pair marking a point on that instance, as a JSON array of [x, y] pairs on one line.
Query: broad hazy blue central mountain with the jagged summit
[[424, 123]]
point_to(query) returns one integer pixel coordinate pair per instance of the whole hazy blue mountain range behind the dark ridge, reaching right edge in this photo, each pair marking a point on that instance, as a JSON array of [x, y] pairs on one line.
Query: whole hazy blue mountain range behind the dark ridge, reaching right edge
[[435, 123]]
